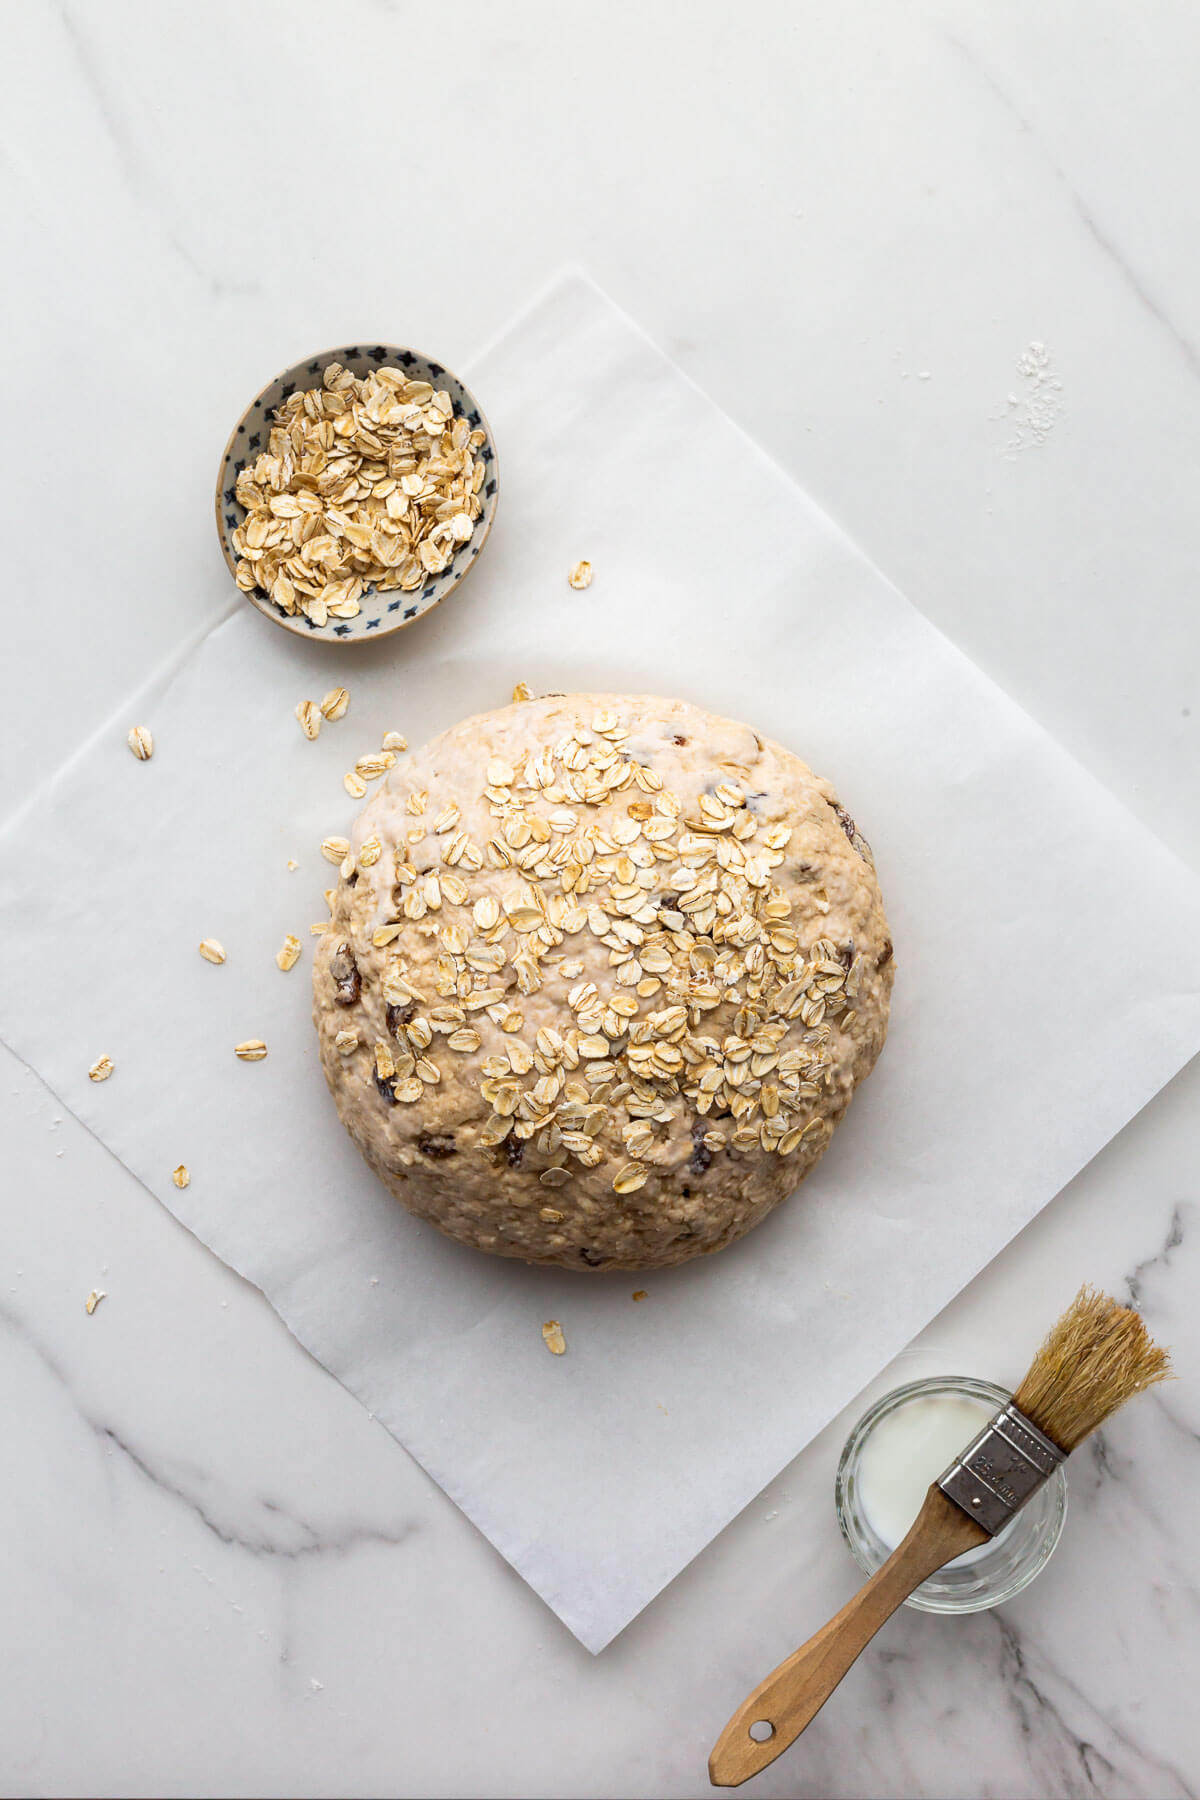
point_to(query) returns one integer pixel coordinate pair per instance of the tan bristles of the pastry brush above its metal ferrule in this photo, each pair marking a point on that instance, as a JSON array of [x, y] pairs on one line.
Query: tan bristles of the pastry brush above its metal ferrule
[[1098, 1356]]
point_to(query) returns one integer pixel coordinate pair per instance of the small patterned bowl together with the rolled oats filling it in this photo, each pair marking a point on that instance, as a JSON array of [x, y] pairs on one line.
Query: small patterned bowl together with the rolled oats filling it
[[357, 492]]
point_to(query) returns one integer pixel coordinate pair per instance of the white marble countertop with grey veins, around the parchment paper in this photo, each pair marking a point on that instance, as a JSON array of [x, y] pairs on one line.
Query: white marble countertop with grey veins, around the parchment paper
[[944, 264]]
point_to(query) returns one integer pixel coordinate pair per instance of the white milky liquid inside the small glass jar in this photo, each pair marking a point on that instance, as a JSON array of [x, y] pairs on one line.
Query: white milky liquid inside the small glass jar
[[906, 1452]]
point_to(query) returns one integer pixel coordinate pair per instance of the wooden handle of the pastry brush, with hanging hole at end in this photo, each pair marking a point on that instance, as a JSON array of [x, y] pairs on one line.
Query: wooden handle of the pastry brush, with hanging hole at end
[[794, 1693]]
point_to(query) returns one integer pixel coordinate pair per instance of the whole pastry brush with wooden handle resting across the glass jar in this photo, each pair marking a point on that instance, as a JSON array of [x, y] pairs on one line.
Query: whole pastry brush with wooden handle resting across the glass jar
[[1095, 1360]]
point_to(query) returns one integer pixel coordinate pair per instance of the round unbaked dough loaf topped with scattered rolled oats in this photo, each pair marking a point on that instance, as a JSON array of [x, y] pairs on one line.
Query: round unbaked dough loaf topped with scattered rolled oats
[[602, 978]]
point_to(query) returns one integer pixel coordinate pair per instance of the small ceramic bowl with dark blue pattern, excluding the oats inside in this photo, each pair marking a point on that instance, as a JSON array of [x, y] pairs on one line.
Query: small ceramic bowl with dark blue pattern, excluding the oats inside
[[382, 611]]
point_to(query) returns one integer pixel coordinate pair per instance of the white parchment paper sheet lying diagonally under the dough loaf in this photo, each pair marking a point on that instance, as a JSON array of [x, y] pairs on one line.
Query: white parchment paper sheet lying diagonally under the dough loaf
[[1048, 973]]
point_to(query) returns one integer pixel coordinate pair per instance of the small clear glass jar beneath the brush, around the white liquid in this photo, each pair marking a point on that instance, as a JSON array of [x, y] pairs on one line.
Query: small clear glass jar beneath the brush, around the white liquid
[[987, 1576]]
